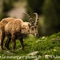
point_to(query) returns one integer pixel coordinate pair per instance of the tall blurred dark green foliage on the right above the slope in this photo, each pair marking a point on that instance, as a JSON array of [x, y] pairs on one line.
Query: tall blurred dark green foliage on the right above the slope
[[51, 10]]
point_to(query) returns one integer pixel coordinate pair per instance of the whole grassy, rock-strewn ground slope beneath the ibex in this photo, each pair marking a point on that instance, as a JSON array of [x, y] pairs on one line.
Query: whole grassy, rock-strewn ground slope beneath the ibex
[[42, 48]]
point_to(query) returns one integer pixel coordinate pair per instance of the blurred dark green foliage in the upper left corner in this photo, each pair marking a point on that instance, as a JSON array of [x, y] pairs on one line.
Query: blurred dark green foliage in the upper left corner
[[6, 5]]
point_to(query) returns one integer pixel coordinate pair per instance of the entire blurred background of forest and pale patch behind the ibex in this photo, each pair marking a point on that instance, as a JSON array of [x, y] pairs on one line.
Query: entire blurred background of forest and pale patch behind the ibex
[[48, 11]]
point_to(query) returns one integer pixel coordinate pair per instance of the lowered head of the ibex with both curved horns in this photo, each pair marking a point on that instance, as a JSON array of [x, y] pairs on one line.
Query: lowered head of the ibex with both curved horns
[[33, 26]]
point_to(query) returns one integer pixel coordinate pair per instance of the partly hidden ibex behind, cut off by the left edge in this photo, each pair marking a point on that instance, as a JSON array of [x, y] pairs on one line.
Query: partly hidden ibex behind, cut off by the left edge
[[3, 22]]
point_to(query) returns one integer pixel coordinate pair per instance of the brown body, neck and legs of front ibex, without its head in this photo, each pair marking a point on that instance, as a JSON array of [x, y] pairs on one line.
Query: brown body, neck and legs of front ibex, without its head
[[16, 30]]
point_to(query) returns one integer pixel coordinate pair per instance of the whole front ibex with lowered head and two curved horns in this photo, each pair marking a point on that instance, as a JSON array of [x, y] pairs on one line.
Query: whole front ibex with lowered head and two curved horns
[[17, 29]]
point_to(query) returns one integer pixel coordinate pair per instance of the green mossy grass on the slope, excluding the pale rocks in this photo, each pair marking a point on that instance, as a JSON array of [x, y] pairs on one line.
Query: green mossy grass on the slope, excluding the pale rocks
[[49, 45]]
